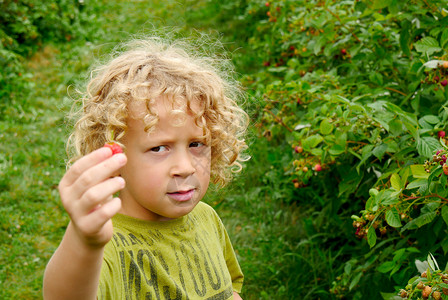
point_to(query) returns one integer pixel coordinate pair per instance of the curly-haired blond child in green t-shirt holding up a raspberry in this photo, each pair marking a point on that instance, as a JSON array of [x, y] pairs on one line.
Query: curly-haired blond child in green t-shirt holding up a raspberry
[[178, 123]]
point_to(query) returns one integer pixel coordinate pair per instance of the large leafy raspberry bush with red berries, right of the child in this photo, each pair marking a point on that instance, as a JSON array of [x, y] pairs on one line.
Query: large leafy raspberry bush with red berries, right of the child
[[354, 93]]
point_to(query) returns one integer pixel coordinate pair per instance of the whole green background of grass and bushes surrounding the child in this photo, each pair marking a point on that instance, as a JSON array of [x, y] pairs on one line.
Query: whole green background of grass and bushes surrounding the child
[[356, 87]]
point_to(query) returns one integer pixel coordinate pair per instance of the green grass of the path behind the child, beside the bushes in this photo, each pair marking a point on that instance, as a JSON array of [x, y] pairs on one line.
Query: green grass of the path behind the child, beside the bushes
[[279, 249]]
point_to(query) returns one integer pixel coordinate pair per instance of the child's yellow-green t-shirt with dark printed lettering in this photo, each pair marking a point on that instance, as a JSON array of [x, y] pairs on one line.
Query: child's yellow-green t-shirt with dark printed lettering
[[187, 258]]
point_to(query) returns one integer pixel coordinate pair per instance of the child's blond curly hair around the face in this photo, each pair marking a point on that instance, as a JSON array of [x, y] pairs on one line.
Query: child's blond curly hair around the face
[[146, 69]]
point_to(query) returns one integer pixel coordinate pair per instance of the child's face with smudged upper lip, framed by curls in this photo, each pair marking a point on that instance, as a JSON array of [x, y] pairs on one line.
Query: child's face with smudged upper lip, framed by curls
[[168, 170]]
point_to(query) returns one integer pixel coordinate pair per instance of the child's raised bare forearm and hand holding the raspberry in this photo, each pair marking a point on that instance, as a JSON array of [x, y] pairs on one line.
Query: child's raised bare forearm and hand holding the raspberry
[[86, 192]]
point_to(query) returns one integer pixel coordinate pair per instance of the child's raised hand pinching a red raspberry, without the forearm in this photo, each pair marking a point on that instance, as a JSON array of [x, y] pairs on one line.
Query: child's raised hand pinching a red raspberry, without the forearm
[[87, 195]]
